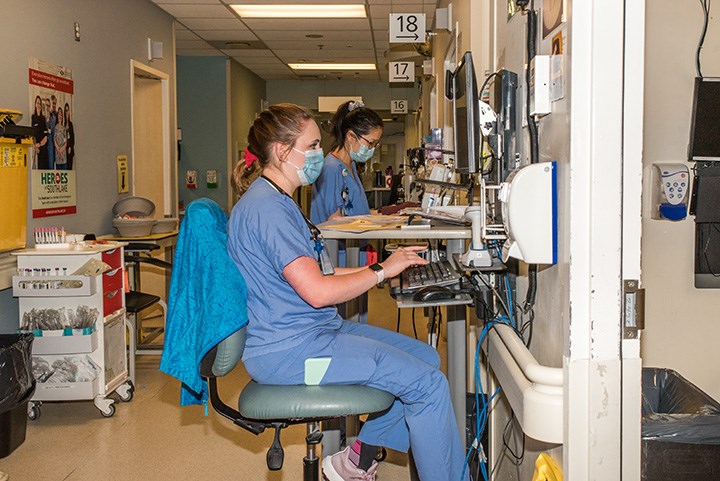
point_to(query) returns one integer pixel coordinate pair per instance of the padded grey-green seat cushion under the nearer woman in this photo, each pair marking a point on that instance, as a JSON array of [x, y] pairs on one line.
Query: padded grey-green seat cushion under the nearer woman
[[272, 402]]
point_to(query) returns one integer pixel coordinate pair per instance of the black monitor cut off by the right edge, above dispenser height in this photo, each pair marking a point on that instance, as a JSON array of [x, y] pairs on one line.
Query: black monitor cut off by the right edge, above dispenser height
[[704, 131]]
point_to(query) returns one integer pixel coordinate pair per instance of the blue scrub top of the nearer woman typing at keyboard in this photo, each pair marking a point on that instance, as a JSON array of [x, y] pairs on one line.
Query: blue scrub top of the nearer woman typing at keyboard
[[266, 232]]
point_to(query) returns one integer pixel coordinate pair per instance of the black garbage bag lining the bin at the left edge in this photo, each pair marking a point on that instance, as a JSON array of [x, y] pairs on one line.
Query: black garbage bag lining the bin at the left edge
[[16, 379]]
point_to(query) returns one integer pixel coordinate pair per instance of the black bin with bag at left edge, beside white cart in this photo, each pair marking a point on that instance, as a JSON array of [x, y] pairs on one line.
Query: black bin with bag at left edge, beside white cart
[[17, 386]]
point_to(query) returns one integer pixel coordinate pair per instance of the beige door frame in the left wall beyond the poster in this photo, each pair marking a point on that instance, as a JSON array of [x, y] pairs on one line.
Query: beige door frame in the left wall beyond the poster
[[138, 68]]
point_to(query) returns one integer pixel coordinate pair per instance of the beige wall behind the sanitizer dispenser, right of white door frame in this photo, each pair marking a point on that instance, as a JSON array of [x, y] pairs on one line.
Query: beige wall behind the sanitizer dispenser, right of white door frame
[[682, 323]]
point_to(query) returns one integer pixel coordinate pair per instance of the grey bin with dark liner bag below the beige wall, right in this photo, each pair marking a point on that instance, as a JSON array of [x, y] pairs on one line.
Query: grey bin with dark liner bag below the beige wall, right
[[680, 429]]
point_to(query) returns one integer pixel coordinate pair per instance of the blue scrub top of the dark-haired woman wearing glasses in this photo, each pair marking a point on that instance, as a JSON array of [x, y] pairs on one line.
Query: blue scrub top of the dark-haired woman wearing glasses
[[328, 189]]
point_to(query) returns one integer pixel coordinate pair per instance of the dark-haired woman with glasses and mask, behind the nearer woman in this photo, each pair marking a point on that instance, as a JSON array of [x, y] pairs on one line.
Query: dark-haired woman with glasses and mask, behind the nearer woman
[[357, 131]]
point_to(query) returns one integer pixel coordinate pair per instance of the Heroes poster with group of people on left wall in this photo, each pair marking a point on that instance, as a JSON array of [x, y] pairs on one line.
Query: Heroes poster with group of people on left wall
[[53, 167]]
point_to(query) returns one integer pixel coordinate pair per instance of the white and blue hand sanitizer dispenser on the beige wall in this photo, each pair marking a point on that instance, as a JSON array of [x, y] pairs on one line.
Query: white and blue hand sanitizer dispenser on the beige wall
[[671, 184]]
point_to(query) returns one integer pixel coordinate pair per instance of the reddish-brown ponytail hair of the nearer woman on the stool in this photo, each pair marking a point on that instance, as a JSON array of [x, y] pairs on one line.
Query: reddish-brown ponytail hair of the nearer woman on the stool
[[281, 123]]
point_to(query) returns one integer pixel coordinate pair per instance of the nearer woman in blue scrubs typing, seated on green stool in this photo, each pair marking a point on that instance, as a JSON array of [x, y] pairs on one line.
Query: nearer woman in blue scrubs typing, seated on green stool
[[292, 316]]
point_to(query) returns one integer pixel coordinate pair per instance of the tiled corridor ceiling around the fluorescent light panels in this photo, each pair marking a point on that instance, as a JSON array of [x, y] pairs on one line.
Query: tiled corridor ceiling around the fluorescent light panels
[[266, 46]]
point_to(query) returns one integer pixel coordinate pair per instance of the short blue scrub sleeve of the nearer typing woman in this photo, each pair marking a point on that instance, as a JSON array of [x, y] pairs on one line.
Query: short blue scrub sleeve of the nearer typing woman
[[285, 237]]
